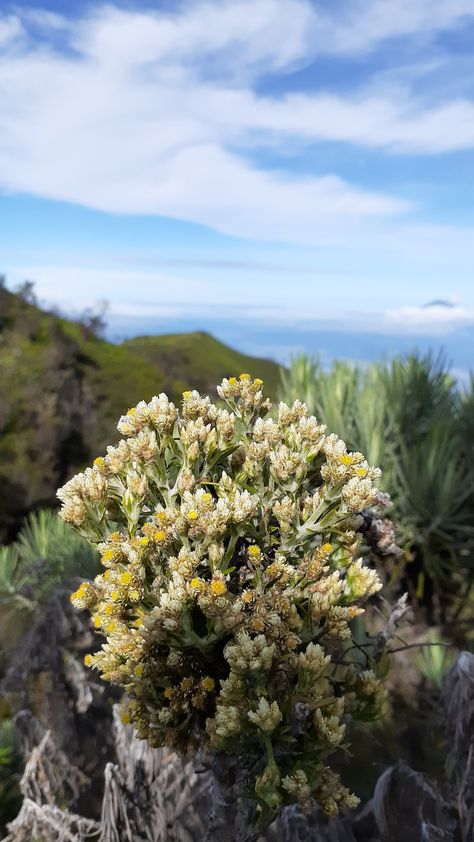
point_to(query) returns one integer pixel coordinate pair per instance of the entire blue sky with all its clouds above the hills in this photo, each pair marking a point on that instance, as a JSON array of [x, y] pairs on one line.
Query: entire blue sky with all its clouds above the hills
[[270, 170]]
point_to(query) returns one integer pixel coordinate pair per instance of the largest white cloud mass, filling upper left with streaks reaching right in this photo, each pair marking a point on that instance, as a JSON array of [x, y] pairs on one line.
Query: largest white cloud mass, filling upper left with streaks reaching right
[[154, 113]]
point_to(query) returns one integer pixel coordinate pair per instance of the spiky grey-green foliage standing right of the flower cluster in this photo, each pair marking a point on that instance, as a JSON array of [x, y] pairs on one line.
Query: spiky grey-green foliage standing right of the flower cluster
[[409, 417]]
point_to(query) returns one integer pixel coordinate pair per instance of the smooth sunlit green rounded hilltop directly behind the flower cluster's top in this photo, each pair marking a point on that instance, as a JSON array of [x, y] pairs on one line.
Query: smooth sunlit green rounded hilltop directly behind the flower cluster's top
[[198, 361]]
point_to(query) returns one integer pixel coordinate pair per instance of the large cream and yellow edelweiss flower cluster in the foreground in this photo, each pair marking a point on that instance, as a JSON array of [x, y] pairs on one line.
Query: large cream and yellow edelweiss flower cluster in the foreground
[[231, 576]]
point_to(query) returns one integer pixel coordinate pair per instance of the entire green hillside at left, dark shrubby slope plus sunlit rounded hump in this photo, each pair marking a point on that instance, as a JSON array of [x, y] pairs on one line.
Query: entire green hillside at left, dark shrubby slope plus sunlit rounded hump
[[63, 388]]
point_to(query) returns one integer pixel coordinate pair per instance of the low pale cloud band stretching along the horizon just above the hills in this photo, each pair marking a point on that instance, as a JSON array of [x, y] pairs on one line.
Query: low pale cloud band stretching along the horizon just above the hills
[[148, 295]]
